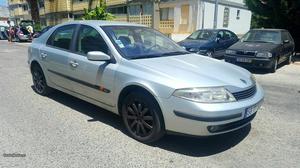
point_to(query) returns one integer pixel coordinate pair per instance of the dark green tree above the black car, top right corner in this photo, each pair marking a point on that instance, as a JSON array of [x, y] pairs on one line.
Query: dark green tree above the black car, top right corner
[[283, 14]]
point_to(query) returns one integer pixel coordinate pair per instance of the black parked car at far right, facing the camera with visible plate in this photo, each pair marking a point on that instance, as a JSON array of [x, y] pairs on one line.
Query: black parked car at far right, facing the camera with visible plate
[[262, 48]]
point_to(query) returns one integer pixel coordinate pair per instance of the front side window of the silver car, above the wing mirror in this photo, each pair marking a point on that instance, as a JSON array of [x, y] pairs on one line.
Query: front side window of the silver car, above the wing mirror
[[89, 39]]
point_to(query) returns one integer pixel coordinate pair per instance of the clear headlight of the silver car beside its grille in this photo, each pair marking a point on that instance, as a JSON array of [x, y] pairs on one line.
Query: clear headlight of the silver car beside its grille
[[205, 95]]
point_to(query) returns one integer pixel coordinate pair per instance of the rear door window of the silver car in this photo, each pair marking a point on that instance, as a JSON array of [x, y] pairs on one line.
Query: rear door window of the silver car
[[62, 37]]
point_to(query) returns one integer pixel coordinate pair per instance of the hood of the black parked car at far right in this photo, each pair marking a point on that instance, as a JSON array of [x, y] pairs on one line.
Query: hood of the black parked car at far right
[[253, 46]]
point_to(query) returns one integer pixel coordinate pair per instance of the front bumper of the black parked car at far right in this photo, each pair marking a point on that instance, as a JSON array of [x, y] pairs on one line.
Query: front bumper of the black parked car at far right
[[255, 62]]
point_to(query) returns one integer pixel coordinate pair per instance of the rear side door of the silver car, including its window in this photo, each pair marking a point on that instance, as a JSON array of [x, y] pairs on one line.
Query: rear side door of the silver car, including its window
[[55, 55]]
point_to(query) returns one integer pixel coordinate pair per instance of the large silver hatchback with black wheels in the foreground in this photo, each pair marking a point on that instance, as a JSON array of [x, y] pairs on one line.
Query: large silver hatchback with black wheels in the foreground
[[138, 73]]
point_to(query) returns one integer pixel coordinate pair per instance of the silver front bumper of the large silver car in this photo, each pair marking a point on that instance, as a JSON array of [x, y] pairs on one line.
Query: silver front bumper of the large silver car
[[187, 117]]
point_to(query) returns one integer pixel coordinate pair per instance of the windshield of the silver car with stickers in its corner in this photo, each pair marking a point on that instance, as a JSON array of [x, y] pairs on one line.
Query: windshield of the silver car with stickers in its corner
[[141, 42]]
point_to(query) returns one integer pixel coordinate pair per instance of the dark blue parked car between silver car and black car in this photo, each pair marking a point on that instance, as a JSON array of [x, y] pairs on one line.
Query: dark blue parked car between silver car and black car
[[209, 42]]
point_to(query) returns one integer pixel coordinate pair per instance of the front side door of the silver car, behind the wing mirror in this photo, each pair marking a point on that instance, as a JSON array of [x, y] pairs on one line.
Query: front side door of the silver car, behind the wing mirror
[[92, 79]]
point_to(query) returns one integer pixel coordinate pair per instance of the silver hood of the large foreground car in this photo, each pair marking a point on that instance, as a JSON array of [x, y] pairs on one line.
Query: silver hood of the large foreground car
[[192, 70]]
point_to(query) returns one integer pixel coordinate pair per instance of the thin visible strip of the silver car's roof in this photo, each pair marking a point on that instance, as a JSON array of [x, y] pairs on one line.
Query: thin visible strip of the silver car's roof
[[103, 23]]
